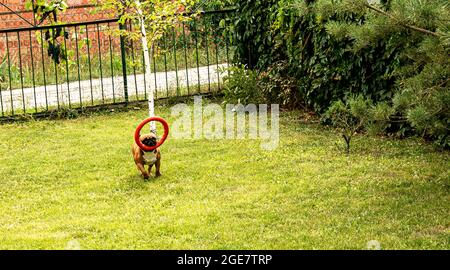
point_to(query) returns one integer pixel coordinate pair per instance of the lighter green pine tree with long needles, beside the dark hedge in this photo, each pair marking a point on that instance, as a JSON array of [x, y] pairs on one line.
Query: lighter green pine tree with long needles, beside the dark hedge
[[421, 31]]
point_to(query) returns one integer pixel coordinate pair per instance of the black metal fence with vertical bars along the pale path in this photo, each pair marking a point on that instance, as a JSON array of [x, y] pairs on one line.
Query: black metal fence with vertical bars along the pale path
[[87, 66]]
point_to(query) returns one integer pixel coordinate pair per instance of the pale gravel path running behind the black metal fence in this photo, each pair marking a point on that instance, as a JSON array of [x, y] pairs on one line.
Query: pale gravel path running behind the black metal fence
[[71, 93]]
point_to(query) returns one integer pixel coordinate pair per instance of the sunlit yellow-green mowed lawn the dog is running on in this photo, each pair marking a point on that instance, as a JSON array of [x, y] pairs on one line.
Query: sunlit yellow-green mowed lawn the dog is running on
[[73, 182]]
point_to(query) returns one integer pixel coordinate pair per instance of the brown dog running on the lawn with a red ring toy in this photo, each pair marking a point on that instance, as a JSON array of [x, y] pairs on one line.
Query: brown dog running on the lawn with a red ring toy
[[142, 158]]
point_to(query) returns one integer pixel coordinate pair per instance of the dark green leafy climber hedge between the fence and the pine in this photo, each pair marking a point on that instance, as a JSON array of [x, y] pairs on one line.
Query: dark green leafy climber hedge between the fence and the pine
[[325, 68]]
